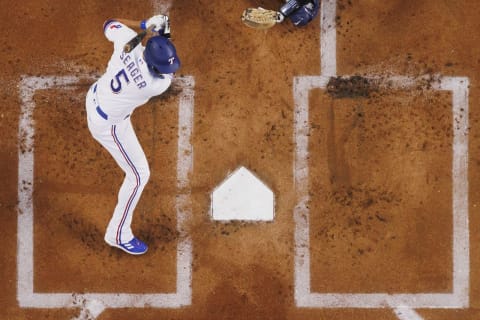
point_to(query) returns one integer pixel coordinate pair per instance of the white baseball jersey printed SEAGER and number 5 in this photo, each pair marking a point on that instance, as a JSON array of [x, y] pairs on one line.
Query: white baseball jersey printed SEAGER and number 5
[[127, 82]]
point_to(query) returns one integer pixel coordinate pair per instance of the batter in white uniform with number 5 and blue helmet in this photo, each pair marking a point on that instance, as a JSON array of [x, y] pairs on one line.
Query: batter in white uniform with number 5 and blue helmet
[[129, 81]]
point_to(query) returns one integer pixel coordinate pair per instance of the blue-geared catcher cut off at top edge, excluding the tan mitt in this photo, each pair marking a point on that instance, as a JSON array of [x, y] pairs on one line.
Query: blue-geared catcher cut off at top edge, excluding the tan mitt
[[300, 12]]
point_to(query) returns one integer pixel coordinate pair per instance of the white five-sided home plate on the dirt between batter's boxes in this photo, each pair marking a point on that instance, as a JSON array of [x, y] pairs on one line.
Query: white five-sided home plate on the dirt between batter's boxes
[[242, 196]]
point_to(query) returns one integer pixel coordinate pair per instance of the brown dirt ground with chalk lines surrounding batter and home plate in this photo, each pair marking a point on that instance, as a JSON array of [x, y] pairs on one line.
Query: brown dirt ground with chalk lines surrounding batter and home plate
[[369, 140]]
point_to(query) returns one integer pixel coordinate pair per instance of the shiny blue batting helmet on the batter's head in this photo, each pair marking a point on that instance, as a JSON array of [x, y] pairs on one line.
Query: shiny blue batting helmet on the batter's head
[[161, 56]]
